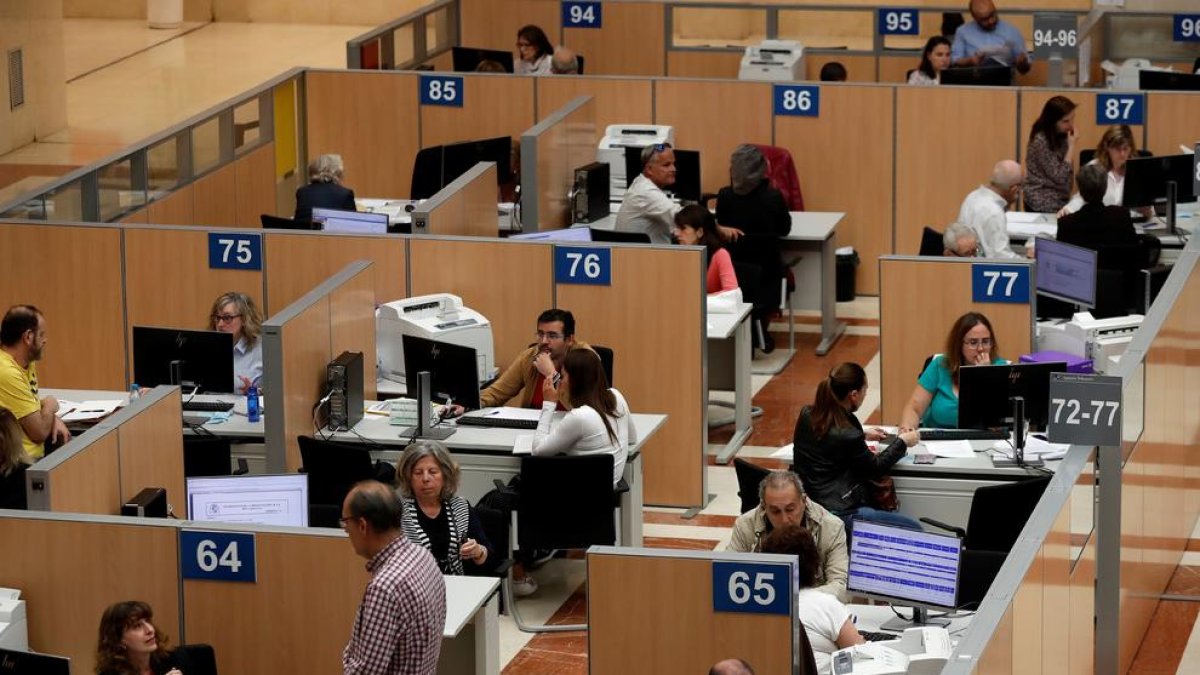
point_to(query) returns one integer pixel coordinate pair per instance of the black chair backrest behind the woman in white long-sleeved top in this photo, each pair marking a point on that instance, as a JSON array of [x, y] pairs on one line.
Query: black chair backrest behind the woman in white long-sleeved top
[[567, 503]]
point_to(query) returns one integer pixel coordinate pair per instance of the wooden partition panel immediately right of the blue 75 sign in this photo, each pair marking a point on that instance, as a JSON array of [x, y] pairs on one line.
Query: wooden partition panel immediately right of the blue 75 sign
[[298, 261]]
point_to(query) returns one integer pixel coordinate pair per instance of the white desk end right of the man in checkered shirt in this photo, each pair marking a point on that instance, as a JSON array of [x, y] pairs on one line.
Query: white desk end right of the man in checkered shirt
[[471, 641]]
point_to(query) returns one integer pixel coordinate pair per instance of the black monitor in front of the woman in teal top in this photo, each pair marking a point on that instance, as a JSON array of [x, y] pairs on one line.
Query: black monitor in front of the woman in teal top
[[987, 392]]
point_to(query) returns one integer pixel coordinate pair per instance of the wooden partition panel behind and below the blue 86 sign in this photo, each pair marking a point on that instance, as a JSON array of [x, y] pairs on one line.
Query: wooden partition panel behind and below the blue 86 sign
[[856, 127]]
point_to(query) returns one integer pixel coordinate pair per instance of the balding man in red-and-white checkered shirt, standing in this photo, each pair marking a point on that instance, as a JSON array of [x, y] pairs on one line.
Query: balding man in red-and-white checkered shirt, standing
[[404, 611]]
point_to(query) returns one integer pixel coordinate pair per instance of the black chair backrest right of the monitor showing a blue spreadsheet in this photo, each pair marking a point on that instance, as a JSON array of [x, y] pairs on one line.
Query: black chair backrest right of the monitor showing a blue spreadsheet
[[1000, 512]]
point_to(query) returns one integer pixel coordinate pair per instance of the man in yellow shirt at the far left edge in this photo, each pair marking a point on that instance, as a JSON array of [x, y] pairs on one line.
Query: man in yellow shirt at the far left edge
[[22, 343]]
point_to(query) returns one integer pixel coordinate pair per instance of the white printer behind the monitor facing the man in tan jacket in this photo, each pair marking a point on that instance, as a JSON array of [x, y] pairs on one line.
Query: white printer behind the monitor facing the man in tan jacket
[[440, 318]]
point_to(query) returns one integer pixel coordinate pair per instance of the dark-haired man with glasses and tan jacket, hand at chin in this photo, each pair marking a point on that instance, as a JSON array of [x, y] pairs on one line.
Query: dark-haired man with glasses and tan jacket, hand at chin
[[541, 361]]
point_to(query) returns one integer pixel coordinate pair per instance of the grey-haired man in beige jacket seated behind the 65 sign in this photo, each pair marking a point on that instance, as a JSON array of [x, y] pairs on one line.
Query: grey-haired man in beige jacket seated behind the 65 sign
[[782, 501]]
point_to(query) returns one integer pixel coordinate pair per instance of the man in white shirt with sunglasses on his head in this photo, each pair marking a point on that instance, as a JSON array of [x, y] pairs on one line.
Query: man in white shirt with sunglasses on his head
[[646, 207]]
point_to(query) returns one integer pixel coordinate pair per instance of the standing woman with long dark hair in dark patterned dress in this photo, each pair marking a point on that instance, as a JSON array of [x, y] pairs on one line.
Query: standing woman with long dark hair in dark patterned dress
[[1049, 158]]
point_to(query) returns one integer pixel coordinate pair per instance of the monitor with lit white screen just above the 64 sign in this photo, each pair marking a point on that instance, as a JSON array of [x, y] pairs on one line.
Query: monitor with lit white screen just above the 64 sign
[[260, 500]]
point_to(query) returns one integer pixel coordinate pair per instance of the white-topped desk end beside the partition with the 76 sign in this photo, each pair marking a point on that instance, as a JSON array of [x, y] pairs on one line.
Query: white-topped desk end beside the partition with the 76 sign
[[729, 371]]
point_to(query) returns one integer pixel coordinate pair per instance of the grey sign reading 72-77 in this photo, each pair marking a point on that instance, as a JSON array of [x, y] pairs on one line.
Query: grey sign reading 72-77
[[1085, 410]]
